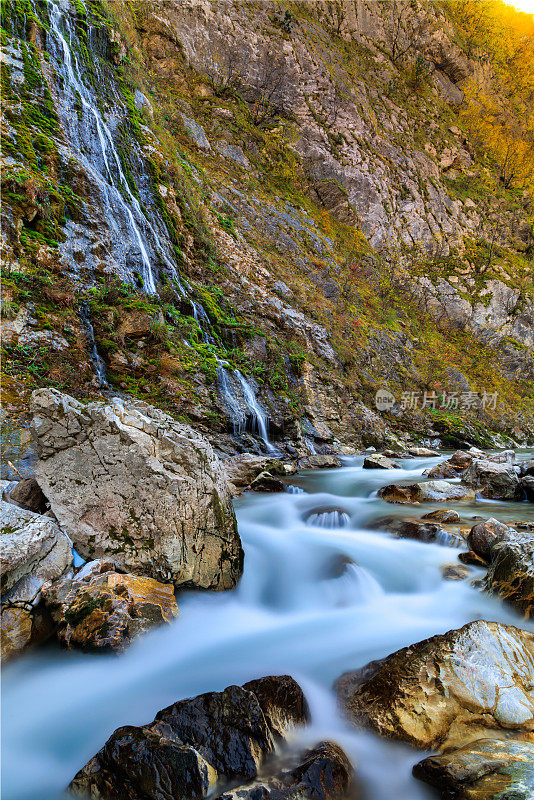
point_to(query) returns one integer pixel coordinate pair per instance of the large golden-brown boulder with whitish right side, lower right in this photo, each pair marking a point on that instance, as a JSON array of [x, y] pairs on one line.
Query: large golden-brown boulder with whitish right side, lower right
[[449, 690]]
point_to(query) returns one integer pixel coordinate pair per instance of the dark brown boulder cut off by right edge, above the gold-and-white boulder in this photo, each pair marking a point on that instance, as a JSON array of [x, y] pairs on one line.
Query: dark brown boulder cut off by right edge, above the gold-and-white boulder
[[511, 571]]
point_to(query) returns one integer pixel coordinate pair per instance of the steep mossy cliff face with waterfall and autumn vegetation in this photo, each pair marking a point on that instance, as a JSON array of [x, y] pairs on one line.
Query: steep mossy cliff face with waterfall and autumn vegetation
[[280, 191]]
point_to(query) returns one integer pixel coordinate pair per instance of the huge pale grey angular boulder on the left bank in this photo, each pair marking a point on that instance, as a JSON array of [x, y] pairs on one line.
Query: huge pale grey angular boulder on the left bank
[[129, 483]]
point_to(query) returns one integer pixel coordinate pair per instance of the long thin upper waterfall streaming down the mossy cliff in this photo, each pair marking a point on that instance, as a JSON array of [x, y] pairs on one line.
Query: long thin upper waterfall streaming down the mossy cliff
[[118, 198]]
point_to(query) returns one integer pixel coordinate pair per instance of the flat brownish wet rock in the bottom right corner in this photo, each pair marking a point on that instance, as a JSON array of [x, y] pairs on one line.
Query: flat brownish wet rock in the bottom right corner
[[487, 769]]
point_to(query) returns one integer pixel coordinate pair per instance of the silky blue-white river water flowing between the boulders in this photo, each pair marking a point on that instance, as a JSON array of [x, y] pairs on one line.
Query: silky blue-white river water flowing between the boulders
[[314, 601]]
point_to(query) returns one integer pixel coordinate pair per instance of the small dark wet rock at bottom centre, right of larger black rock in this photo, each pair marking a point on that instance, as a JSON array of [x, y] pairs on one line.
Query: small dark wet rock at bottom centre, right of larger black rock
[[325, 773]]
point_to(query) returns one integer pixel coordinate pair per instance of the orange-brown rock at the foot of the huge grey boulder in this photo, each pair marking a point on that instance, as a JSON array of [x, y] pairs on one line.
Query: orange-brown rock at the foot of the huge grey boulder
[[100, 609]]
